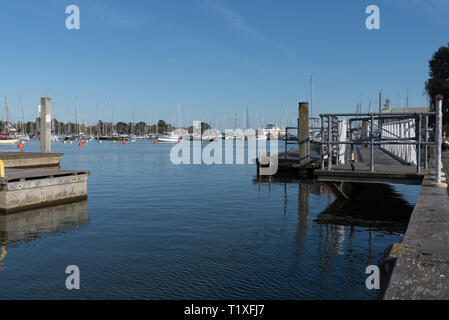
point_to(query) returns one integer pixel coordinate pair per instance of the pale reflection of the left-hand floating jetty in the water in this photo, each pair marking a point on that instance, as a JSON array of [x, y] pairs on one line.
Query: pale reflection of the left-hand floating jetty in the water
[[29, 225]]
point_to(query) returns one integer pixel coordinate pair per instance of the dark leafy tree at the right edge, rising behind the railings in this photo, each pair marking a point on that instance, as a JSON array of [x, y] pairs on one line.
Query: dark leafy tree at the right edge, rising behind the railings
[[438, 82]]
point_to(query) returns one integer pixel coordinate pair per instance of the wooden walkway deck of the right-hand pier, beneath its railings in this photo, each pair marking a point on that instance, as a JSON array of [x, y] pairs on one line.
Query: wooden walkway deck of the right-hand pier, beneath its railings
[[387, 170]]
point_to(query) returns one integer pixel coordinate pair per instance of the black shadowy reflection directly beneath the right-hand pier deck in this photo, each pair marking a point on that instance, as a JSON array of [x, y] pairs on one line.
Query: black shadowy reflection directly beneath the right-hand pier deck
[[378, 206]]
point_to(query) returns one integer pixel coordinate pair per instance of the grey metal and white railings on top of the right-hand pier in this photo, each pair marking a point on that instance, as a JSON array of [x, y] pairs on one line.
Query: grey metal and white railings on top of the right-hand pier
[[404, 136]]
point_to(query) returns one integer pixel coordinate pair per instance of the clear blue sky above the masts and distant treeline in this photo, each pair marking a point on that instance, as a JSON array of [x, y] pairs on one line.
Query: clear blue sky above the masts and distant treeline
[[215, 57]]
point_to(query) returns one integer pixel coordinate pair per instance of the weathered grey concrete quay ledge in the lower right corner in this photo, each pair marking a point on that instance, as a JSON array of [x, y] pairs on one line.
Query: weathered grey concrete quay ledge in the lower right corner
[[421, 262]]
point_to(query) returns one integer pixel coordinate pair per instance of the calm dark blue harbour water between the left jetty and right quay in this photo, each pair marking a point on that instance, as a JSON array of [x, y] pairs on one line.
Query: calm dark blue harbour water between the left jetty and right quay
[[154, 230]]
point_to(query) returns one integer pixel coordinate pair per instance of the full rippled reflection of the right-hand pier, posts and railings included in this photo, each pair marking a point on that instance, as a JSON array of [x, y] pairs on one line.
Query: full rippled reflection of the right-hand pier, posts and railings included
[[372, 212]]
